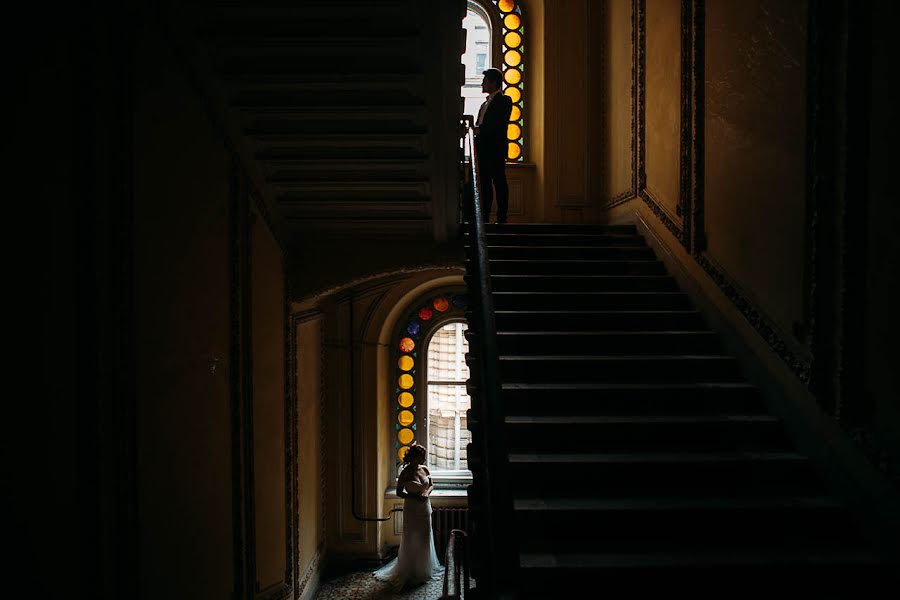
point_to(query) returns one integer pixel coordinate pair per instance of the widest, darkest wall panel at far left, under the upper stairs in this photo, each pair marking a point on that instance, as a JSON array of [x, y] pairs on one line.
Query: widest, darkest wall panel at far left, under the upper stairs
[[181, 325]]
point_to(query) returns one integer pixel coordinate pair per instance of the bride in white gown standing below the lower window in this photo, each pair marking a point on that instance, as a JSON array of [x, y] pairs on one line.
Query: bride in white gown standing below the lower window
[[417, 560]]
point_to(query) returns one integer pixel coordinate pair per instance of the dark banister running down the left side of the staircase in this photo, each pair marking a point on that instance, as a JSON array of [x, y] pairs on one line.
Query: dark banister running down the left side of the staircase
[[495, 556]]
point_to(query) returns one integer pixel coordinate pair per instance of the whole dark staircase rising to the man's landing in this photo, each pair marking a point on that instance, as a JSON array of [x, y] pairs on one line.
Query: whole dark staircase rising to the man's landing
[[639, 455]]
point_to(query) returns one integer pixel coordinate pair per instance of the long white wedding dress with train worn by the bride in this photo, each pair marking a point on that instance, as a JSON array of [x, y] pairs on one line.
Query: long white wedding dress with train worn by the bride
[[417, 561]]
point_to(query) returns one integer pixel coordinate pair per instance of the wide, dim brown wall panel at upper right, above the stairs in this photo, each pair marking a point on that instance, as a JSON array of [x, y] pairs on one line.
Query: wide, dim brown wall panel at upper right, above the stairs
[[755, 150]]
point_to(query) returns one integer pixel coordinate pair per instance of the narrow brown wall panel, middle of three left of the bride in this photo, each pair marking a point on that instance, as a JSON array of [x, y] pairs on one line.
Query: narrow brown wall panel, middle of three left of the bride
[[267, 303]]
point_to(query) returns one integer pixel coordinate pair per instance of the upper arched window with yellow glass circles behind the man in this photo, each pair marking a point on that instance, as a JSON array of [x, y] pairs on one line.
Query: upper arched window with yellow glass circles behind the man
[[496, 38]]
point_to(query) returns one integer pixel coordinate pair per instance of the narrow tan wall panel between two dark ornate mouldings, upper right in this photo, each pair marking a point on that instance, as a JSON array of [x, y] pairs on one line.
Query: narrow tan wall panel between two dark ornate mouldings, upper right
[[663, 103]]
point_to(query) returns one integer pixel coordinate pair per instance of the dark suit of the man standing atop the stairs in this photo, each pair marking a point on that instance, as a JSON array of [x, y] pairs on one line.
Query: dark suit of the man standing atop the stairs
[[491, 146]]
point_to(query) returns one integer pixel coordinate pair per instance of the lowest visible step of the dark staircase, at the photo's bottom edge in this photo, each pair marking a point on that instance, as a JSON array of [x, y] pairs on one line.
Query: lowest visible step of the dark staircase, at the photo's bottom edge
[[712, 573]]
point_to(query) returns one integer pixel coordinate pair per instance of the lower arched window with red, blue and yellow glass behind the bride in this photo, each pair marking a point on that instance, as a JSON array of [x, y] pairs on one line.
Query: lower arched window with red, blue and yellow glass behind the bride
[[430, 382]]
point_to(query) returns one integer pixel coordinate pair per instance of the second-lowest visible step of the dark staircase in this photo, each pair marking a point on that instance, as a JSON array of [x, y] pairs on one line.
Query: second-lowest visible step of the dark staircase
[[628, 525]]
